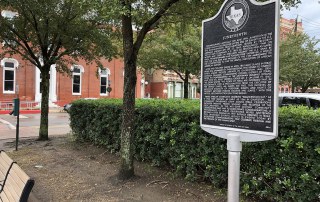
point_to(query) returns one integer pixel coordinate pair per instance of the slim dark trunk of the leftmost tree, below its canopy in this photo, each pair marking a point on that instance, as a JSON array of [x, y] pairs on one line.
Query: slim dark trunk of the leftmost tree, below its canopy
[[43, 132]]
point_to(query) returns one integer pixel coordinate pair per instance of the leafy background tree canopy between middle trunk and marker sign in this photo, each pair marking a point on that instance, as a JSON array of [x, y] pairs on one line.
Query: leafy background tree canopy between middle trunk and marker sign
[[177, 48]]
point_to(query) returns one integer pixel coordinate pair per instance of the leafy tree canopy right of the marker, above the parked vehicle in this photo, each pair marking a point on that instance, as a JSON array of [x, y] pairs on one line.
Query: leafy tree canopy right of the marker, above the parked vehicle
[[300, 61]]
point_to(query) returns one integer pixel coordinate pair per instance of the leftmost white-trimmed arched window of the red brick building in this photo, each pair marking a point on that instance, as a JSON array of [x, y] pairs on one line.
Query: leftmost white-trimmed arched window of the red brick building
[[9, 66]]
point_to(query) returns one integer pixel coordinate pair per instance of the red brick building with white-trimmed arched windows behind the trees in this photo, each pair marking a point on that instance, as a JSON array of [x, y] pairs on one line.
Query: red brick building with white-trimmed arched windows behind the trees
[[19, 78]]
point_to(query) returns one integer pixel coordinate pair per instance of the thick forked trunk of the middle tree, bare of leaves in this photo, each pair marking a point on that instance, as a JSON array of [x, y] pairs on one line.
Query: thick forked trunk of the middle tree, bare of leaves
[[130, 51]]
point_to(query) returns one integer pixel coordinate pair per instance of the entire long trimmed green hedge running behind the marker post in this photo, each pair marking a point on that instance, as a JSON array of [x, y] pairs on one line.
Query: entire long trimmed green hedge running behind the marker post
[[167, 133]]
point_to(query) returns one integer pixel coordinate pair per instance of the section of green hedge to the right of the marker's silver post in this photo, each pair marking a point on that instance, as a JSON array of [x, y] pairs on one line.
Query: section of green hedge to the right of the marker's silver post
[[287, 168]]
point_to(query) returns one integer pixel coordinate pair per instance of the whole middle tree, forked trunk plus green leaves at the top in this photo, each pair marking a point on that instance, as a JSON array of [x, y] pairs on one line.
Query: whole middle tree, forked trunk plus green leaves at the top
[[134, 19]]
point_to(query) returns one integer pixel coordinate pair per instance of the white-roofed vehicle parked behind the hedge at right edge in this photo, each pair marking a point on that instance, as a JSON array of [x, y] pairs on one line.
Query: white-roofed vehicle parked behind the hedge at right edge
[[303, 99]]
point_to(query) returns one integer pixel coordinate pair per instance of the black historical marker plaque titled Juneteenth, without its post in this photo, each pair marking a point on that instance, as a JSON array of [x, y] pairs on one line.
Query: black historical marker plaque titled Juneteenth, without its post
[[240, 70]]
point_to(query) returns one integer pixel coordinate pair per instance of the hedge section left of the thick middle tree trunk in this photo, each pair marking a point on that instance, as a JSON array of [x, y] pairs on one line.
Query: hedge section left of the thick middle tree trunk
[[97, 121]]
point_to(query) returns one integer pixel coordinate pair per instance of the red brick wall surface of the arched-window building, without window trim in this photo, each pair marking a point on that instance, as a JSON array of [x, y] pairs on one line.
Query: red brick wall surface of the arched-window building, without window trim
[[90, 82]]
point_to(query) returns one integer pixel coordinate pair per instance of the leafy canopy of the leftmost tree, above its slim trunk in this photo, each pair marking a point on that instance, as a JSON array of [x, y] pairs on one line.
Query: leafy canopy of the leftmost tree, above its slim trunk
[[53, 29]]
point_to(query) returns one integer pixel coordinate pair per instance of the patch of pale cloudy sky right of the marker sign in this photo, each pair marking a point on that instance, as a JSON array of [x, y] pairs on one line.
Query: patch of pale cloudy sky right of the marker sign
[[309, 13]]
